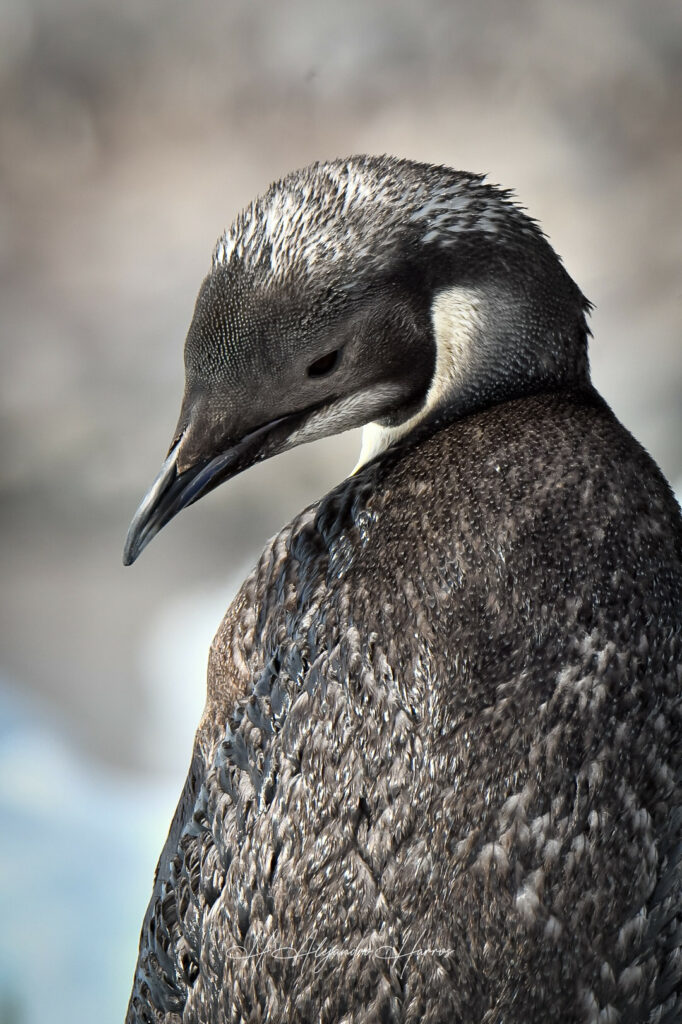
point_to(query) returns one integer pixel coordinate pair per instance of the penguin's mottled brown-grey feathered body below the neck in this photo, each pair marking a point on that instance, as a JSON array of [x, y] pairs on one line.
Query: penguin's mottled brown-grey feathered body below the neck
[[438, 778]]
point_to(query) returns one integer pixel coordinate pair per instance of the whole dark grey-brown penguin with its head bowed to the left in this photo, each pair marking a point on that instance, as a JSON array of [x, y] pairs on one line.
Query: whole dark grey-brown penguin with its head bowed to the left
[[438, 776]]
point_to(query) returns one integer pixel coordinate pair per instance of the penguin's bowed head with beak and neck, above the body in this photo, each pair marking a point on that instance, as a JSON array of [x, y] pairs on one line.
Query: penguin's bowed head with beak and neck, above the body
[[369, 292]]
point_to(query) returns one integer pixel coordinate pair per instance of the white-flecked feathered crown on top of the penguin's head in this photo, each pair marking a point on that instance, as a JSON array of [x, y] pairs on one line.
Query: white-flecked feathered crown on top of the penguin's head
[[356, 212]]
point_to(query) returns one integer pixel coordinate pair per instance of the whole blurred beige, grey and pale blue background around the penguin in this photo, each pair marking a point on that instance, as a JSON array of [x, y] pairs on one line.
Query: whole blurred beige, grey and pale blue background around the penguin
[[131, 135]]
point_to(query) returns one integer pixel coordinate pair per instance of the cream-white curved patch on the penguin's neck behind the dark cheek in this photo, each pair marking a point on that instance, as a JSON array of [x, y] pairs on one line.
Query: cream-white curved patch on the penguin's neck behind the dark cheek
[[457, 319]]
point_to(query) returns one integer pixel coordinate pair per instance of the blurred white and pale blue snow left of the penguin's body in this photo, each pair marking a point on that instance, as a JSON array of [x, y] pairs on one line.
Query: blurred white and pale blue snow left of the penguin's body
[[80, 839]]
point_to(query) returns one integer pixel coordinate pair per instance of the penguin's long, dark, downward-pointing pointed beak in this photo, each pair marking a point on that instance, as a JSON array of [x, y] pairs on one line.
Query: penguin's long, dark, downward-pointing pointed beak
[[174, 491]]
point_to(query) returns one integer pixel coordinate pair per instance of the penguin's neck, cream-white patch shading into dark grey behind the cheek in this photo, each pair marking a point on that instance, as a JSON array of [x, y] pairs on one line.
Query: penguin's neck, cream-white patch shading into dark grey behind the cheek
[[488, 350]]
